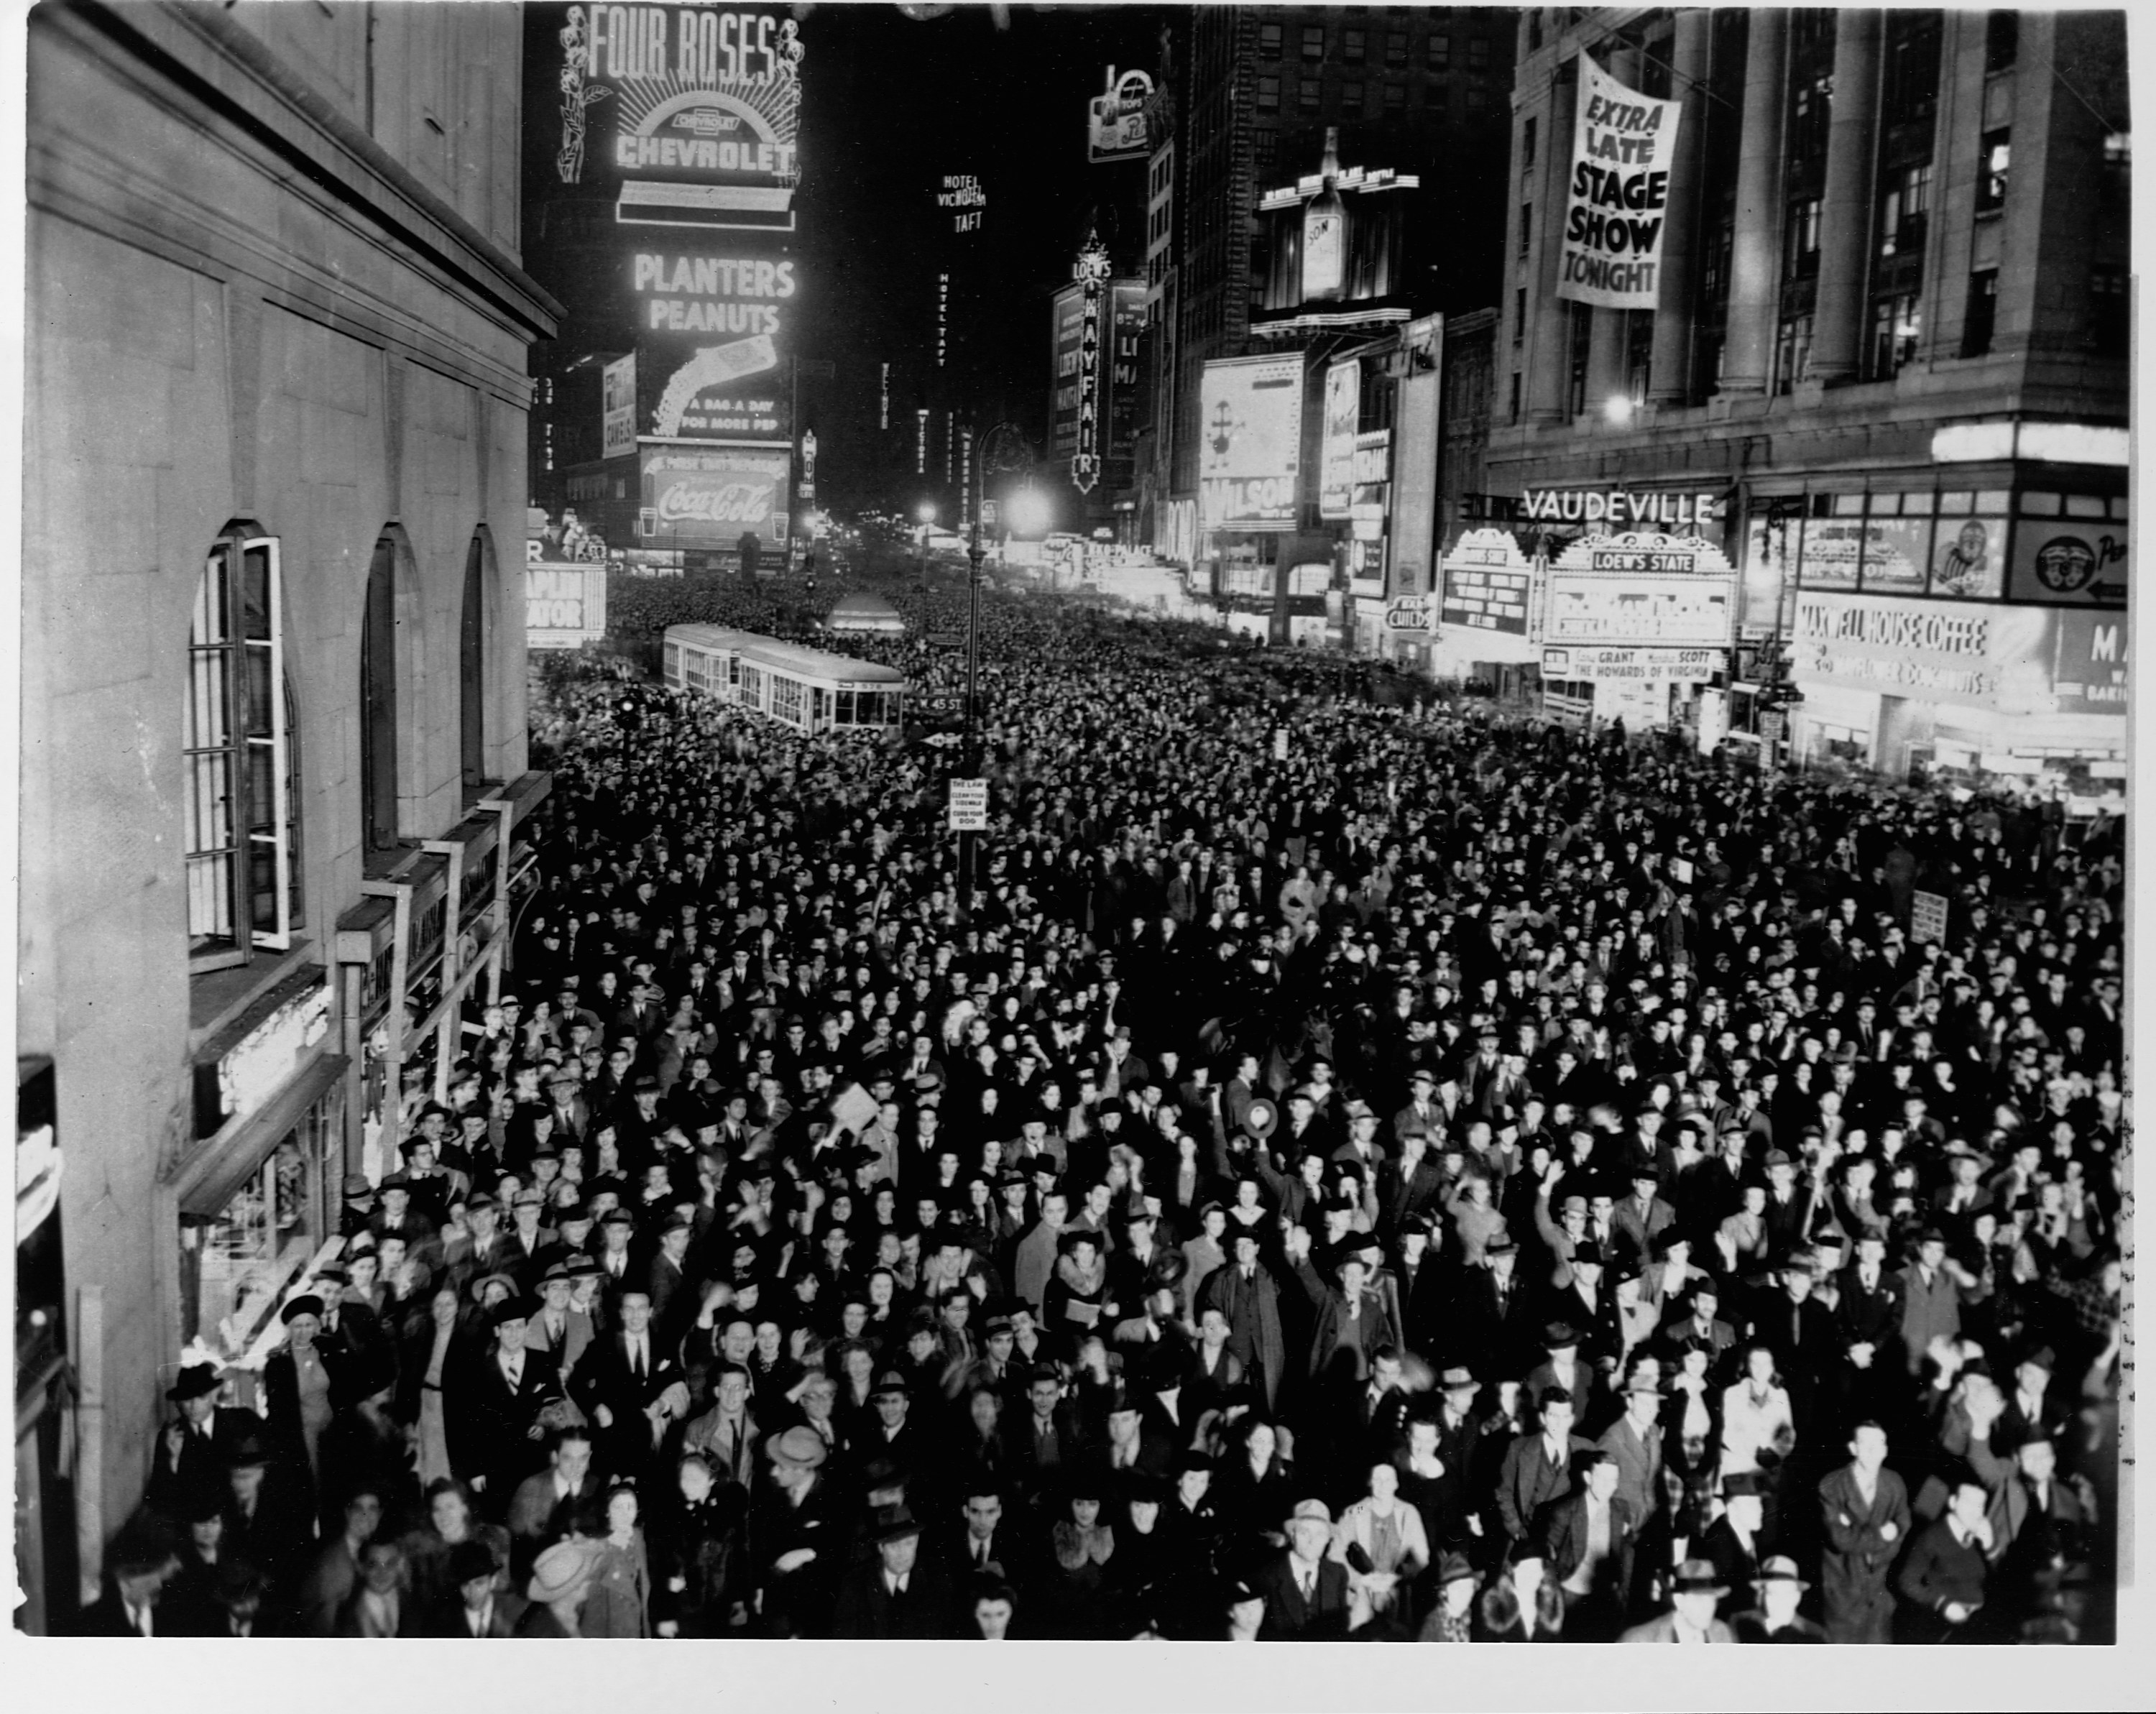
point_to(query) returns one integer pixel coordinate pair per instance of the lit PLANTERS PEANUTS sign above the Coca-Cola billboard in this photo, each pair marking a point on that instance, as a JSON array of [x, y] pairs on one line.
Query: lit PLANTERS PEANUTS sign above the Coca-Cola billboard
[[715, 342]]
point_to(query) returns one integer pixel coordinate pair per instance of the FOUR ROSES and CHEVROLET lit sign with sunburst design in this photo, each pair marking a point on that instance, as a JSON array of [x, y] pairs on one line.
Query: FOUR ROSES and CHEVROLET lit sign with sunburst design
[[691, 113]]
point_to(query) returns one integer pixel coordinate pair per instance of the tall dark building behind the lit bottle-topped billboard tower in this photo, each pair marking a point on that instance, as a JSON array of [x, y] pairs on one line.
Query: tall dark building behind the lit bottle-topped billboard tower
[[1415, 89]]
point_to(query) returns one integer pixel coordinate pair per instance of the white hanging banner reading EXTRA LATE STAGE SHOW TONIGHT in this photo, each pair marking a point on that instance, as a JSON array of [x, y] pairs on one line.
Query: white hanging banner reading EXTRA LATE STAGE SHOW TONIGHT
[[1616, 210]]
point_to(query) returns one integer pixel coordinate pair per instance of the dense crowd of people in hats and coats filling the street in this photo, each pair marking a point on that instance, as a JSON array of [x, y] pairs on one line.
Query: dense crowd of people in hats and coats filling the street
[[1439, 1178]]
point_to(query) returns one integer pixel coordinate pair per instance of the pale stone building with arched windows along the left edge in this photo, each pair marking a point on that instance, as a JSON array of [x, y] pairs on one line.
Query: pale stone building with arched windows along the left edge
[[273, 689]]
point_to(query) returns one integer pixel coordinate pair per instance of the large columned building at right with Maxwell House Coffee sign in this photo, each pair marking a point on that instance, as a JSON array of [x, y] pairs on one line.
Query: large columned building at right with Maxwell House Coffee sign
[[1879, 359]]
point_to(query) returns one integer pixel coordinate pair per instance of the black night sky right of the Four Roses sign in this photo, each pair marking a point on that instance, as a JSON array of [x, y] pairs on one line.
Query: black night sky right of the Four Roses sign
[[889, 105]]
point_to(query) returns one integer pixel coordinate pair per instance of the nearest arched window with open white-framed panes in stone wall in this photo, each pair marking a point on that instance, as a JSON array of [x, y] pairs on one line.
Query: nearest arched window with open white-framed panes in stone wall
[[243, 758]]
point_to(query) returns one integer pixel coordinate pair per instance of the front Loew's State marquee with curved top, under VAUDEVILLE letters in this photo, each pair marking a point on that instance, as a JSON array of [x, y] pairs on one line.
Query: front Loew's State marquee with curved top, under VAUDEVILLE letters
[[1646, 590]]
